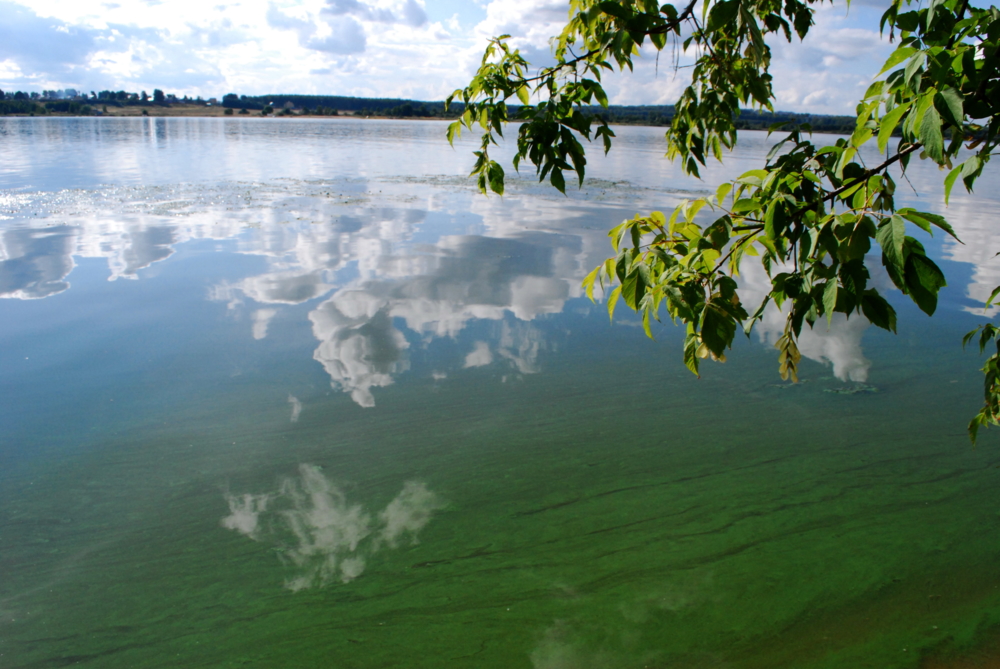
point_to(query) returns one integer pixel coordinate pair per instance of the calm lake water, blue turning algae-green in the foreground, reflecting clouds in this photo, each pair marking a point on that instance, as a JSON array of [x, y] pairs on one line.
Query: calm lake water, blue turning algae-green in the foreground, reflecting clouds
[[291, 394]]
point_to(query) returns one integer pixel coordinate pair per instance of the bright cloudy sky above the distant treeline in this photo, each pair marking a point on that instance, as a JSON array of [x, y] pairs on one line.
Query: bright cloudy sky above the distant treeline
[[415, 49]]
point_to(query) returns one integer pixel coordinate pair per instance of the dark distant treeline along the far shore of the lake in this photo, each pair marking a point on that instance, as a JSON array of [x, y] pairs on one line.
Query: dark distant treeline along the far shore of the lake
[[81, 104]]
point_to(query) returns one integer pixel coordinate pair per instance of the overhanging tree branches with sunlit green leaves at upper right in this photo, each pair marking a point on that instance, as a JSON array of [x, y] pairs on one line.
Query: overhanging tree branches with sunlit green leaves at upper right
[[812, 214]]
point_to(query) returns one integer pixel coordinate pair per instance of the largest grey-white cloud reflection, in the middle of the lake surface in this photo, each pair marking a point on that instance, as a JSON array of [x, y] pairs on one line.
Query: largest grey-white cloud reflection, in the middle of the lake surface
[[437, 293]]
